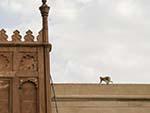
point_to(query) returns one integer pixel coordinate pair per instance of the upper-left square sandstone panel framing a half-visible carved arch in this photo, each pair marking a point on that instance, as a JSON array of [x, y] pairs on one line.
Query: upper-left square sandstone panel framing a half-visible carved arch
[[5, 61]]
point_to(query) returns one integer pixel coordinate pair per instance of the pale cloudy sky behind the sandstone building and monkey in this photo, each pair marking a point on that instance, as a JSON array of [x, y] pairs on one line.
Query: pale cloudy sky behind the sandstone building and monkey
[[89, 37]]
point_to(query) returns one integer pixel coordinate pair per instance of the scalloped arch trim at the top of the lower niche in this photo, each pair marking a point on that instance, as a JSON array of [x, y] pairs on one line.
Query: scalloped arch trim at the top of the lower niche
[[28, 80]]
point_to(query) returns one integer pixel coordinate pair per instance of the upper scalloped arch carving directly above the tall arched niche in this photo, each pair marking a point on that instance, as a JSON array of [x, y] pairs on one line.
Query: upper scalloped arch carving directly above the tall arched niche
[[28, 63]]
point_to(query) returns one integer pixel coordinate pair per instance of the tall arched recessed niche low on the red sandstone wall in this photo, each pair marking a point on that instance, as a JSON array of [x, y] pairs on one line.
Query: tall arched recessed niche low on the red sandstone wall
[[28, 97]]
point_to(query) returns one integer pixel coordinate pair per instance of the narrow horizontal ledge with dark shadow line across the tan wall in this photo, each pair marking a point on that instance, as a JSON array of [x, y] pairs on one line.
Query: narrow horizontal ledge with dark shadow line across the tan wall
[[103, 98]]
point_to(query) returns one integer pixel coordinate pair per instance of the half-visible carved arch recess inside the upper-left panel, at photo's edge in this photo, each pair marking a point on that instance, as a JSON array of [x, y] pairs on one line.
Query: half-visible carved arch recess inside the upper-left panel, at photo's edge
[[4, 62]]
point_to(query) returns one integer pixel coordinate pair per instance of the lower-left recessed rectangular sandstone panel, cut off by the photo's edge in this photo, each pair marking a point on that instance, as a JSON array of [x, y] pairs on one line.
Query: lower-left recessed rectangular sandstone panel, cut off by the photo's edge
[[5, 96]]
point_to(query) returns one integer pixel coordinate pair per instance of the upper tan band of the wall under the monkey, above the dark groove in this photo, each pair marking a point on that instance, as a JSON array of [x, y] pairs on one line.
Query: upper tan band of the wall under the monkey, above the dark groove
[[100, 90]]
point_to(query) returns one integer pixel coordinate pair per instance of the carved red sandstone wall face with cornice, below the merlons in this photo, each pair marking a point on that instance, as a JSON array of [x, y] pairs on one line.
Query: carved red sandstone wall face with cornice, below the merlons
[[22, 64]]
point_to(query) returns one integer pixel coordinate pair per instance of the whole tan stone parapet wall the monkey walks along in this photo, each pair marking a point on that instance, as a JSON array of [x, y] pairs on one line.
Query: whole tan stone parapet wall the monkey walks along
[[94, 98]]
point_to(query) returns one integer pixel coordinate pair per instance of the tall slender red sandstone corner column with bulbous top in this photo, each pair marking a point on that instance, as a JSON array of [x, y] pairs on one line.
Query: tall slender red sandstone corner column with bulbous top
[[44, 12]]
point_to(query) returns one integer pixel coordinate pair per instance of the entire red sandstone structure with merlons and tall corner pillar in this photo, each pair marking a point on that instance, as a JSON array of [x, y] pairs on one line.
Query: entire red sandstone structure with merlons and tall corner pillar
[[25, 70]]
